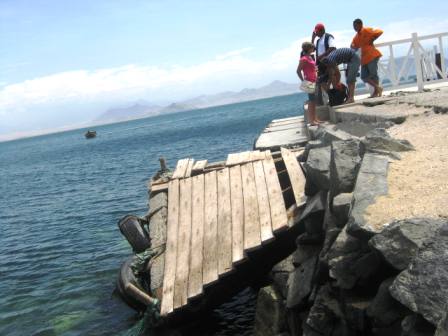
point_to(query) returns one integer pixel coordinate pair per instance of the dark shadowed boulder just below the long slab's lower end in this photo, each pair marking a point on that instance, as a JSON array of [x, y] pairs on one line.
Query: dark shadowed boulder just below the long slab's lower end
[[343, 257]]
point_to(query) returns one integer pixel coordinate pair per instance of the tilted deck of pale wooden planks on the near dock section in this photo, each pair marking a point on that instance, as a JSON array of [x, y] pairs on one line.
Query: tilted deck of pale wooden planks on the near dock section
[[217, 217]]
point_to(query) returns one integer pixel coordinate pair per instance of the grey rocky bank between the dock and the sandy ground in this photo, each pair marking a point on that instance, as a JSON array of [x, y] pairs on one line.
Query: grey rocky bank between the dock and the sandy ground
[[349, 275]]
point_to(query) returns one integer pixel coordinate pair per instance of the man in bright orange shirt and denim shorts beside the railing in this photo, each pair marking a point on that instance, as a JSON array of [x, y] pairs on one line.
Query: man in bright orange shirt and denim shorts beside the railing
[[369, 54]]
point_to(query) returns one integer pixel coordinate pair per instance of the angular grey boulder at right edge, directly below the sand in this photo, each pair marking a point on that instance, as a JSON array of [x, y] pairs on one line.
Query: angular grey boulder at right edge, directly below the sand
[[399, 241]]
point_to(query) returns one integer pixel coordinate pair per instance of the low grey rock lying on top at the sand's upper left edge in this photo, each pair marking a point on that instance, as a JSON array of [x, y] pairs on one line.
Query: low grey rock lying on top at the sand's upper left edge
[[379, 139]]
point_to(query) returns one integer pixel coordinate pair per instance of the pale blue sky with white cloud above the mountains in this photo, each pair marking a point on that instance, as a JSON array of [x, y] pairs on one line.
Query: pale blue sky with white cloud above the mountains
[[63, 63]]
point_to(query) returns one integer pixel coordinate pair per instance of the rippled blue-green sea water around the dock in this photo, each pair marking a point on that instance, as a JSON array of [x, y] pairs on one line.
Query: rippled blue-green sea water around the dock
[[62, 196]]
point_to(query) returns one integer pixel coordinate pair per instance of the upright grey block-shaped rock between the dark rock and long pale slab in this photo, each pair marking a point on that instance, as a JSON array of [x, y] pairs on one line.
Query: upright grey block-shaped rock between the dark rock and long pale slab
[[344, 166]]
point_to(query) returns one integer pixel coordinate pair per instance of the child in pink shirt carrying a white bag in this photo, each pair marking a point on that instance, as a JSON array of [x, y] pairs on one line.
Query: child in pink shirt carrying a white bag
[[307, 71]]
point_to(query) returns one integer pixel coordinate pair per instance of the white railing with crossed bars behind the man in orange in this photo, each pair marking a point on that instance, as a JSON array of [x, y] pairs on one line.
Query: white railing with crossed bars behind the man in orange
[[416, 66]]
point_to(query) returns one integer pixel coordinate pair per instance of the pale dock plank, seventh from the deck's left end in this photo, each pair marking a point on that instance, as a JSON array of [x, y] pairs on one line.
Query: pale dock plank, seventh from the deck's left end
[[252, 235]]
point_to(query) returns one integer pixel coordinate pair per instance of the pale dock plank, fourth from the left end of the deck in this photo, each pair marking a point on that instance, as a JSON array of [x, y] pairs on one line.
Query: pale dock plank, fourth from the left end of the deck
[[210, 263]]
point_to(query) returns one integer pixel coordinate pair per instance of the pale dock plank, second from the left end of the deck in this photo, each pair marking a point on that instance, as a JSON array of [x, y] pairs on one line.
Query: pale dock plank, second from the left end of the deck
[[183, 244]]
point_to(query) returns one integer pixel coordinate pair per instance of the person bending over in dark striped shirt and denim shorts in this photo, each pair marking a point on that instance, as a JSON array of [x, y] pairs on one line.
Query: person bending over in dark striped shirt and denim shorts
[[339, 56]]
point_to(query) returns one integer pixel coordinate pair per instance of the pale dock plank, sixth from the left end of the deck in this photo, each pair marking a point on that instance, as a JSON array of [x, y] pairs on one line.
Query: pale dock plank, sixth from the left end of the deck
[[236, 196]]
